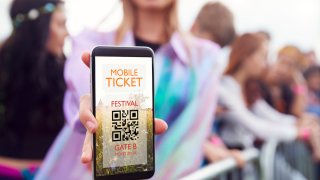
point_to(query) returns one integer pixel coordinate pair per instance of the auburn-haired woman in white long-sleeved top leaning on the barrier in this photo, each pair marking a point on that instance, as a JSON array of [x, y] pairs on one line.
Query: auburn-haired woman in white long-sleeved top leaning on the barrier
[[249, 116]]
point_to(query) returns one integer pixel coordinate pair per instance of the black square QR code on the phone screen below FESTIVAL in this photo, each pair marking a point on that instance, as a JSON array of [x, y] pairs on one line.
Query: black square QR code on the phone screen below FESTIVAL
[[125, 125]]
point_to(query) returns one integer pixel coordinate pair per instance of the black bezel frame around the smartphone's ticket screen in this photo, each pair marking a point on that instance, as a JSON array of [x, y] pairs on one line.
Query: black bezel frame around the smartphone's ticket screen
[[120, 52]]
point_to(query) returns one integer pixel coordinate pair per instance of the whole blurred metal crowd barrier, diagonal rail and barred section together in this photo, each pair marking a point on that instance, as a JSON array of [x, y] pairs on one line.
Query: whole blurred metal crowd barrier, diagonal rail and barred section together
[[275, 161]]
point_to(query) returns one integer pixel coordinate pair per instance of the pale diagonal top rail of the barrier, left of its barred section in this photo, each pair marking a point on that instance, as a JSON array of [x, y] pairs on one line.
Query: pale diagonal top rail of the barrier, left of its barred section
[[220, 169]]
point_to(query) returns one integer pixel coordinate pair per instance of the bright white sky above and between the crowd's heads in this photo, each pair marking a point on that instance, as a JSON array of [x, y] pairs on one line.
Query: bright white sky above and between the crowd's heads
[[288, 21]]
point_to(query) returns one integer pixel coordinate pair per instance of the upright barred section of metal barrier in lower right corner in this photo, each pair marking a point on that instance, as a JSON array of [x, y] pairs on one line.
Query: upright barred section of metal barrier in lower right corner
[[281, 161]]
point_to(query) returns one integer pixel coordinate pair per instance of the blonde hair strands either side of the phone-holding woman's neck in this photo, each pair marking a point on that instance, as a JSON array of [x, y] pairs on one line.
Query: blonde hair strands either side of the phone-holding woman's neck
[[129, 20]]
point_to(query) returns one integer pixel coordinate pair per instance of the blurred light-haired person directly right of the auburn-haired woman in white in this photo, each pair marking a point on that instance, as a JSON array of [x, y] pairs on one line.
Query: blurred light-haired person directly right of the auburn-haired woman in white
[[288, 89]]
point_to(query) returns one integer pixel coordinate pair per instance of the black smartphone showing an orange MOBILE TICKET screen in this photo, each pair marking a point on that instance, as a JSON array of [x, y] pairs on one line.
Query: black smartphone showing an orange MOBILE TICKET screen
[[123, 104]]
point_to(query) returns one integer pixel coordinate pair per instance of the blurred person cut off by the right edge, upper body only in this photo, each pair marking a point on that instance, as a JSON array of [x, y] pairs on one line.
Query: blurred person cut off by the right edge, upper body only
[[312, 75]]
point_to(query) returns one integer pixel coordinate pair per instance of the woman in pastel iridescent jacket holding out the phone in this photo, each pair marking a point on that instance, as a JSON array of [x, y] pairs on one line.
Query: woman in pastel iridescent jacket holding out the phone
[[185, 83]]
